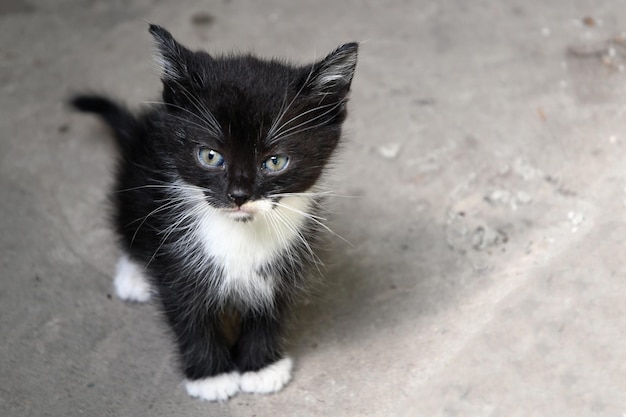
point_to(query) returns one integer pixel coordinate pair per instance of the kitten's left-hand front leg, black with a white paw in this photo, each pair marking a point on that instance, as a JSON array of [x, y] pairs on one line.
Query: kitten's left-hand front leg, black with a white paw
[[205, 357]]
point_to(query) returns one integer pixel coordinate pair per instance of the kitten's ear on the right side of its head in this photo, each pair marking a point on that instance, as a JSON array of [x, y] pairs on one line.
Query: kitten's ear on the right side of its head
[[334, 73]]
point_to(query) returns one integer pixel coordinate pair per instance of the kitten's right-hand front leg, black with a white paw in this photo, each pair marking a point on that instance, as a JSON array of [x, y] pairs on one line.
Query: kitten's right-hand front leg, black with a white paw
[[259, 354]]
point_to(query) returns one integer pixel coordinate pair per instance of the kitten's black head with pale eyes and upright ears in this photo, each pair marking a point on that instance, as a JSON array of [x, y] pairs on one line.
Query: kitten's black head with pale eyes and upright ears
[[248, 131]]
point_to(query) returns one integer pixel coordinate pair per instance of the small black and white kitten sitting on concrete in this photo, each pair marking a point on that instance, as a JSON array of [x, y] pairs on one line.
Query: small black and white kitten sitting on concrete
[[217, 207]]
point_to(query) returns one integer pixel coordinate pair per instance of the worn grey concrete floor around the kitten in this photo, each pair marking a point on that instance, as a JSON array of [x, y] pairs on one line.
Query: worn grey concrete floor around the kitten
[[485, 151]]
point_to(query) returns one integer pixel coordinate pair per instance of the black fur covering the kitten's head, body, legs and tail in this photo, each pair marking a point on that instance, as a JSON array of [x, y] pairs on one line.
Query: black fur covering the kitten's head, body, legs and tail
[[229, 104]]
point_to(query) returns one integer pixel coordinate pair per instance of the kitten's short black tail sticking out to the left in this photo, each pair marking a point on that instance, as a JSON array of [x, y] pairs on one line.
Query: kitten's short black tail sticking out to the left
[[119, 119]]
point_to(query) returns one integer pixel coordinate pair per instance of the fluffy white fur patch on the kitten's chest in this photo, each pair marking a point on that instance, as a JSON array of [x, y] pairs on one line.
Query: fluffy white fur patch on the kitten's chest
[[241, 249]]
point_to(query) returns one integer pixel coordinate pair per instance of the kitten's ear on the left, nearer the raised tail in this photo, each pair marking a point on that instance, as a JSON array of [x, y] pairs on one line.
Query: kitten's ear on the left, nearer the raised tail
[[171, 56]]
